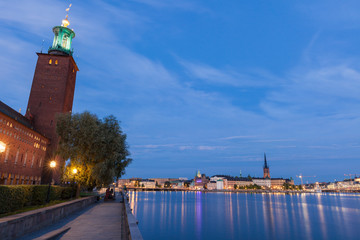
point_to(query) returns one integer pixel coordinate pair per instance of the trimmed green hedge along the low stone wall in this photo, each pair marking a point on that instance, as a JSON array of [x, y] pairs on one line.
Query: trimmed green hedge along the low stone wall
[[13, 198]]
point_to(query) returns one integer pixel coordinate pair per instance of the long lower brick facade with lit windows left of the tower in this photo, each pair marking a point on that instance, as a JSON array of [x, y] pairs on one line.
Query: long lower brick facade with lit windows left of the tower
[[22, 161]]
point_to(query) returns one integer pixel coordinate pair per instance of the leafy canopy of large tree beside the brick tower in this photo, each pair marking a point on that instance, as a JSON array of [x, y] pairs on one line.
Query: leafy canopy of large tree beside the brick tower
[[96, 147]]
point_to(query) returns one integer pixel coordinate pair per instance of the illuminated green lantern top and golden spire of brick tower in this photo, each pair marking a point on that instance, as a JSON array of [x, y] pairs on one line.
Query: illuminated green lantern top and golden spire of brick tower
[[63, 37]]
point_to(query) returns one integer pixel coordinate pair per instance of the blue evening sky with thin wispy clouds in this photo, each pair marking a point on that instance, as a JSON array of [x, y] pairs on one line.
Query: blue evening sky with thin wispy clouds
[[208, 85]]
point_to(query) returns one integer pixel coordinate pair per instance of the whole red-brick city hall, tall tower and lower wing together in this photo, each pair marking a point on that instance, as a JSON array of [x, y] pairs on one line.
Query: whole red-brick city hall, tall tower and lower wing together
[[28, 143]]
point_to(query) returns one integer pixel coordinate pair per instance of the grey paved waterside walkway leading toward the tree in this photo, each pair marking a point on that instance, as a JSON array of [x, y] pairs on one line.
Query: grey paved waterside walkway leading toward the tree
[[104, 220]]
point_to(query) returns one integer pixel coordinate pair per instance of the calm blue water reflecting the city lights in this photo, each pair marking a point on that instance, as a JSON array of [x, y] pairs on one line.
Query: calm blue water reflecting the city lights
[[196, 215]]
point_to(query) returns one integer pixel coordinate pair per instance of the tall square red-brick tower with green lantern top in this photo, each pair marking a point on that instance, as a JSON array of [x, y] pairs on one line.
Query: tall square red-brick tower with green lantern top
[[52, 92]]
